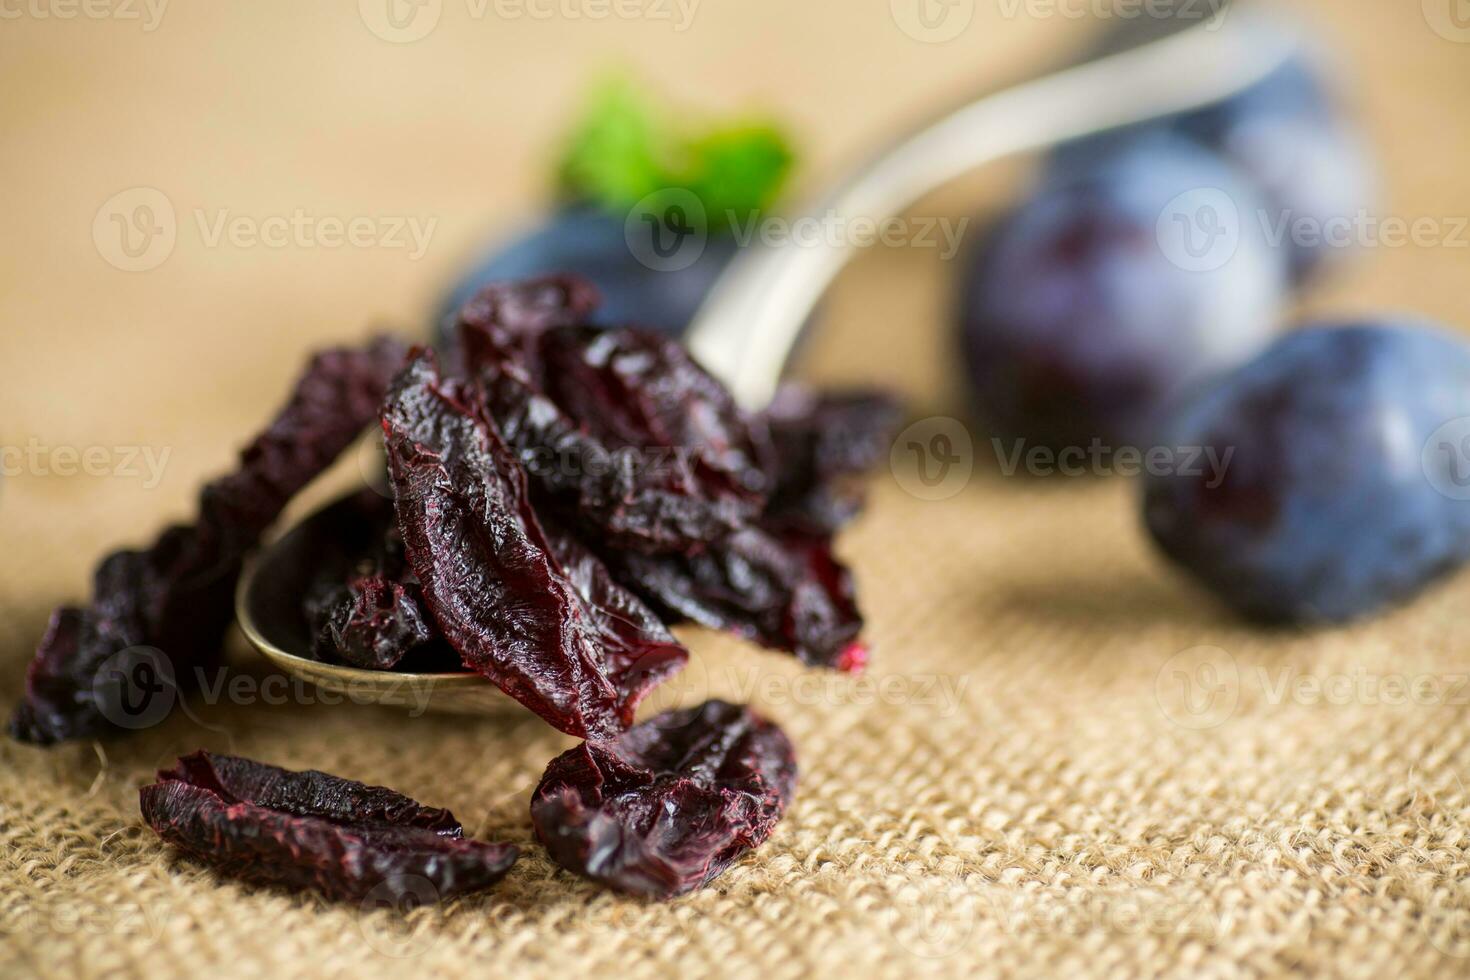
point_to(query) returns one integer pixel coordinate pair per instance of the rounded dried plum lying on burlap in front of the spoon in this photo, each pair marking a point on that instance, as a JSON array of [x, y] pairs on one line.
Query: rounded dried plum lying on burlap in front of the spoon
[[670, 806]]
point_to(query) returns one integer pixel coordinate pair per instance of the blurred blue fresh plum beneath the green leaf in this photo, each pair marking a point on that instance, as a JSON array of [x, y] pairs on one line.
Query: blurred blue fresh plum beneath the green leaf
[[592, 243]]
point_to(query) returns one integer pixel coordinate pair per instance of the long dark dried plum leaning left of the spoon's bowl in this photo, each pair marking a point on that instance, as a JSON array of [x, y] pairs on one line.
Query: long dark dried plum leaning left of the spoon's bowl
[[179, 594]]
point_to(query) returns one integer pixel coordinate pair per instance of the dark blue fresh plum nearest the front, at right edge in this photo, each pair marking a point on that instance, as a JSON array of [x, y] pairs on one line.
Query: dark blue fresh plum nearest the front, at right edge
[[1331, 505]]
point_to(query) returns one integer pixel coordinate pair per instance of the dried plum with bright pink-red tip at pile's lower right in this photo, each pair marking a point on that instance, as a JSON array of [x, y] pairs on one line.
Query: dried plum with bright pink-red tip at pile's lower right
[[784, 591]]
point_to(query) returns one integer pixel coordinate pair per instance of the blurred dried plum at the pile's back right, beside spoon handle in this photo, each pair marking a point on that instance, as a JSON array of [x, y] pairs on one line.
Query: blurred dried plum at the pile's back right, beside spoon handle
[[825, 443]]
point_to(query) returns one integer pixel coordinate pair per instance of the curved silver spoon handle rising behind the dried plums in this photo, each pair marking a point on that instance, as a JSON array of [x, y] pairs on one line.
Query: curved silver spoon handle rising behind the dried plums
[[752, 320]]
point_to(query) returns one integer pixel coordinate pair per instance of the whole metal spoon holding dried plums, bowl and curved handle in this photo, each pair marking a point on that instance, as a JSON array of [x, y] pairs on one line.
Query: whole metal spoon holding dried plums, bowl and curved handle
[[750, 323]]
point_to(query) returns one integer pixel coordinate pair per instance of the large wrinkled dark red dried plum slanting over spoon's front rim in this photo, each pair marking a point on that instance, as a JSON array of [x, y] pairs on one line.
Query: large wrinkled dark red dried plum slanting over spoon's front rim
[[492, 577]]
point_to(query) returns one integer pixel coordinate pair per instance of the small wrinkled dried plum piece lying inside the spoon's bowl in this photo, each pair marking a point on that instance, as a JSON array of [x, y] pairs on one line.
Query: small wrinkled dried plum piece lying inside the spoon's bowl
[[374, 624]]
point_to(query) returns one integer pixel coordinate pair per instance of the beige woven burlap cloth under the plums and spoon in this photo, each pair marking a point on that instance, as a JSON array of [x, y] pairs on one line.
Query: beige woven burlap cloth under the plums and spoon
[[1028, 784]]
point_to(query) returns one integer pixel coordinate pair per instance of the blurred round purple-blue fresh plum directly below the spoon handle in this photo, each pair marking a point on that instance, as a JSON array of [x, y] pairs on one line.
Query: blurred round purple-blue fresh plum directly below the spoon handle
[[1080, 321]]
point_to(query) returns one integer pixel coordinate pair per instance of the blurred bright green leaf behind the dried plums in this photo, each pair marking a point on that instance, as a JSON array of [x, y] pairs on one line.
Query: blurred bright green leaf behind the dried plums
[[625, 149]]
